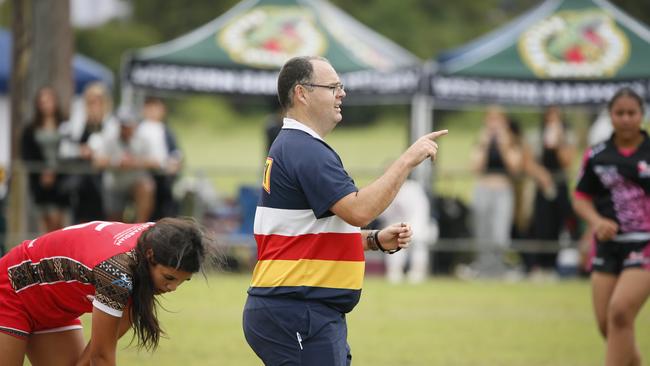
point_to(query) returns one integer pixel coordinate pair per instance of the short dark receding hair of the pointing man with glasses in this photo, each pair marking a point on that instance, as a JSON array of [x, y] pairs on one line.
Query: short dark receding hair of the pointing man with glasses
[[296, 71]]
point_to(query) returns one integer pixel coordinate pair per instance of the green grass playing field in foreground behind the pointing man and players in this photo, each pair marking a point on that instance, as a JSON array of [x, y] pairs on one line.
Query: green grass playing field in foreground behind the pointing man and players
[[441, 322]]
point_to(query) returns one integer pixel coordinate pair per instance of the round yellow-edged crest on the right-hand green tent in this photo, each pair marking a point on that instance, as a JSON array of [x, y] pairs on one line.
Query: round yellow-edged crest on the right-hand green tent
[[575, 44]]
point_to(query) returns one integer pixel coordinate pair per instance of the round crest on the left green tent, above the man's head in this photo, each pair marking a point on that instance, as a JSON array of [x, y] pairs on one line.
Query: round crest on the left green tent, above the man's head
[[268, 36]]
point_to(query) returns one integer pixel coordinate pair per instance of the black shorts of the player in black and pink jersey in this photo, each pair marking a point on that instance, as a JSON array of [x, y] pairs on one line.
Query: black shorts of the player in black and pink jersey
[[614, 256]]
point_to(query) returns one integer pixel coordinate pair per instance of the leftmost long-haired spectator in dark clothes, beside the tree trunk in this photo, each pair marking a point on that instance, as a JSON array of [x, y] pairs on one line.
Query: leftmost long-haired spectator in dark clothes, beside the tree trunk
[[39, 149]]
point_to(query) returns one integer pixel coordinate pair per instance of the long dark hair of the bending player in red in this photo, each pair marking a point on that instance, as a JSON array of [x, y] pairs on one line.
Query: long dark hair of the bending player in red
[[178, 243]]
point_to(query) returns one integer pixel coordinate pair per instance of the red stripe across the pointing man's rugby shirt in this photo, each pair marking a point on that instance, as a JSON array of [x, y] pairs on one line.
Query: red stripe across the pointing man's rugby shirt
[[324, 246]]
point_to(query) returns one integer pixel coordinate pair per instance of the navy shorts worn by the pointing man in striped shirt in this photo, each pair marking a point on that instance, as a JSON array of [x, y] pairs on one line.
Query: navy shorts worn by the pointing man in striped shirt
[[291, 332]]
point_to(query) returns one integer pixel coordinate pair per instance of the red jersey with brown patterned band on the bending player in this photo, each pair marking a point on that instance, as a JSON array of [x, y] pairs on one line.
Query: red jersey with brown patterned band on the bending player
[[54, 273]]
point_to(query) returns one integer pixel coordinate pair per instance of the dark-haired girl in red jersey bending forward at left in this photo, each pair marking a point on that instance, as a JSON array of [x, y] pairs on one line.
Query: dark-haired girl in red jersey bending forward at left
[[109, 269]]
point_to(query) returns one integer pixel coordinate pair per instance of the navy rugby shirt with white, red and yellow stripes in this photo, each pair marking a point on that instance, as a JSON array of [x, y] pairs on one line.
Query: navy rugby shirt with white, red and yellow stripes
[[304, 251]]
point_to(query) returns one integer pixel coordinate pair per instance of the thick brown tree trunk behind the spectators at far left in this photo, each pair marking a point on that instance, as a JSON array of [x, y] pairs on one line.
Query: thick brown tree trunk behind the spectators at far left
[[41, 56]]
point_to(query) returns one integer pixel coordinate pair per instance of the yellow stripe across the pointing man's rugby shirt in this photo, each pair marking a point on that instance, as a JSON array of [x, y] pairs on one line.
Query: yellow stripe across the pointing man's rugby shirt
[[309, 272]]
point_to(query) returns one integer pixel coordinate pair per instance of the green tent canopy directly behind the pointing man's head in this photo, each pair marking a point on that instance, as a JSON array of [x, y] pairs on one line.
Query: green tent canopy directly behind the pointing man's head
[[242, 51]]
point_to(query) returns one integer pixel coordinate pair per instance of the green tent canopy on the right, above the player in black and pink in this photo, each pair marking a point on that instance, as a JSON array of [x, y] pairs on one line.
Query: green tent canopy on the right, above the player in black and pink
[[564, 52]]
